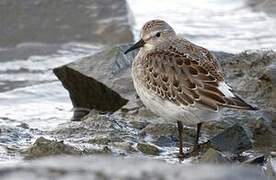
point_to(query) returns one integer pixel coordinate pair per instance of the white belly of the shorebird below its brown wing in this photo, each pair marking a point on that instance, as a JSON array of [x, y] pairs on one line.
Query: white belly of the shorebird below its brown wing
[[189, 115]]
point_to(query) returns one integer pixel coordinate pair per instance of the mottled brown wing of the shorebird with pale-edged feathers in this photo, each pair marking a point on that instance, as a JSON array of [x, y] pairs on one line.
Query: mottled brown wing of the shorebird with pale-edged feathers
[[183, 81]]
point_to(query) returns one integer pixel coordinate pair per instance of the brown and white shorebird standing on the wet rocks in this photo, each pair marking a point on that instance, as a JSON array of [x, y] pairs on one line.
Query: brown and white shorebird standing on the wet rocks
[[180, 81]]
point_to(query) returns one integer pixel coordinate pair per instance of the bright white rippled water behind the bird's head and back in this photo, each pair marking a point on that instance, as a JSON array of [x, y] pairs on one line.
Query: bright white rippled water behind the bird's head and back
[[221, 25]]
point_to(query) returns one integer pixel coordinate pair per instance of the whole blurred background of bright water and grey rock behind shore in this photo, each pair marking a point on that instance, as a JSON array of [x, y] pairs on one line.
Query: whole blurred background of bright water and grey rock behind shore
[[38, 35]]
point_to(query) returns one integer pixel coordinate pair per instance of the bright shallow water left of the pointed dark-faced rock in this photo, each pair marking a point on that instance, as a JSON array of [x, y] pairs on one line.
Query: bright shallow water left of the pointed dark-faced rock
[[32, 100]]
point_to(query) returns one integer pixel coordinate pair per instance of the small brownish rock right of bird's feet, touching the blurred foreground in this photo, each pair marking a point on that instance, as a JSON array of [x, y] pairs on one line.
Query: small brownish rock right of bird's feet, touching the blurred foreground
[[214, 157]]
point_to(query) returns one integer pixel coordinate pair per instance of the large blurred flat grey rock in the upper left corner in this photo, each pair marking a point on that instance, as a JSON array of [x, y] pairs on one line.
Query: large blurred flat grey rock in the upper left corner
[[63, 21]]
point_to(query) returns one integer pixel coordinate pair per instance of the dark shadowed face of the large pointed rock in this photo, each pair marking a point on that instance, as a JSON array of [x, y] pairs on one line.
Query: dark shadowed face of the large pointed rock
[[89, 93]]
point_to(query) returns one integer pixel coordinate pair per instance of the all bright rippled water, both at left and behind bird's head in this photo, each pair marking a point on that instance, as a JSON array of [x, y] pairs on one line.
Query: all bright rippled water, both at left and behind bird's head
[[32, 100]]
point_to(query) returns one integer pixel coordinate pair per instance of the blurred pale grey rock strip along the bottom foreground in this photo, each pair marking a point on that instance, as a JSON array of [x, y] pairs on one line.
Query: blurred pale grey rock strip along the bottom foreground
[[99, 167]]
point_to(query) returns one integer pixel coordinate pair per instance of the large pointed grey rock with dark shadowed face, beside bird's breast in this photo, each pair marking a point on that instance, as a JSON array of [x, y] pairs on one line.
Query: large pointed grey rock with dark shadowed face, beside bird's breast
[[101, 81]]
